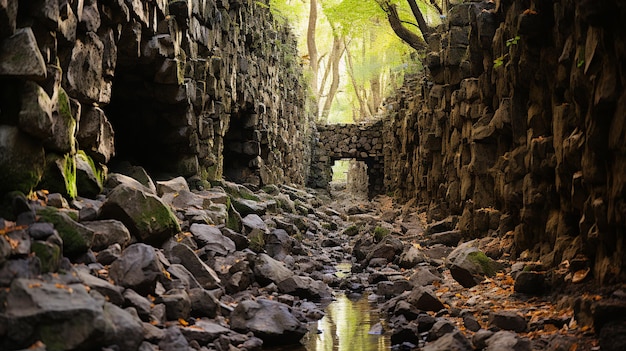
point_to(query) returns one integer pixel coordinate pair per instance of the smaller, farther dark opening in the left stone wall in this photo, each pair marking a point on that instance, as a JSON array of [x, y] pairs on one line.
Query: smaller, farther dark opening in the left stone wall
[[245, 149]]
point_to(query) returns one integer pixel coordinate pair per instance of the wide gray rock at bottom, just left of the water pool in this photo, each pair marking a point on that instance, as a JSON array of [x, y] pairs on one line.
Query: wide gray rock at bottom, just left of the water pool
[[271, 321]]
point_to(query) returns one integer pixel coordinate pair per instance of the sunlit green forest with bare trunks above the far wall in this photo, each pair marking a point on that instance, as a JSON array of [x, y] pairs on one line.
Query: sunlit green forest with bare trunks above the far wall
[[357, 52]]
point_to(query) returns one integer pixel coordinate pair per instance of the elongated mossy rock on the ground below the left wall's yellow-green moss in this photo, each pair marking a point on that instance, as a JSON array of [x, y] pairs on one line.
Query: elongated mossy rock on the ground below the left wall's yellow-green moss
[[76, 237]]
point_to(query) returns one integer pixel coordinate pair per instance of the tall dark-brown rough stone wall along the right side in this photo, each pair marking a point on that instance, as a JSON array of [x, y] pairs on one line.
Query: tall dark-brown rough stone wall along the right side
[[518, 128]]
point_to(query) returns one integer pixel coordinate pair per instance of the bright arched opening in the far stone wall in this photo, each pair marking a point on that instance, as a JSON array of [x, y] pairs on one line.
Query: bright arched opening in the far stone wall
[[350, 179]]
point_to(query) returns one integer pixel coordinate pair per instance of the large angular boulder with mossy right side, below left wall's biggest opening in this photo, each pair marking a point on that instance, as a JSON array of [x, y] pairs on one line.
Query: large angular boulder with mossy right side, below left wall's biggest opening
[[144, 214]]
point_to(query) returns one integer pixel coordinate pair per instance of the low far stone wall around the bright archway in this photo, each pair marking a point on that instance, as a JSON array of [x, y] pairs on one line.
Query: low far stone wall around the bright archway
[[361, 142]]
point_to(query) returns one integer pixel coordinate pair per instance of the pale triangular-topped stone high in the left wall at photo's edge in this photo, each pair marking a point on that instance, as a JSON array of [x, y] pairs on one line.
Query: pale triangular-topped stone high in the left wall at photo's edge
[[20, 56]]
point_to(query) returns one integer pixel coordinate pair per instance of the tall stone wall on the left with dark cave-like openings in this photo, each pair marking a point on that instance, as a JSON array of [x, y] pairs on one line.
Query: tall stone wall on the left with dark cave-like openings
[[186, 87]]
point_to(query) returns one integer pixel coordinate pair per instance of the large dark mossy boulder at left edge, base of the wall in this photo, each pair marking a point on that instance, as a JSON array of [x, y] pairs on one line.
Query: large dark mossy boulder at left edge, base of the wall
[[22, 161]]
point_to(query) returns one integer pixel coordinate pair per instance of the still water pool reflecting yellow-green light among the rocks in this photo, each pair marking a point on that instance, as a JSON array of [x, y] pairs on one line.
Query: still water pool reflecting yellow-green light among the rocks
[[345, 327]]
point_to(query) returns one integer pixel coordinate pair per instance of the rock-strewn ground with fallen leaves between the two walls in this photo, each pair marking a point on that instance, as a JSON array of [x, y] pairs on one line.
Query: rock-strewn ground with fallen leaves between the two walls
[[162, 266]]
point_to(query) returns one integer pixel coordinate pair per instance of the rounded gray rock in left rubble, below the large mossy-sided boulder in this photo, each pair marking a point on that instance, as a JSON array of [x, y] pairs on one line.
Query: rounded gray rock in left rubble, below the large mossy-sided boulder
[[138, 268]]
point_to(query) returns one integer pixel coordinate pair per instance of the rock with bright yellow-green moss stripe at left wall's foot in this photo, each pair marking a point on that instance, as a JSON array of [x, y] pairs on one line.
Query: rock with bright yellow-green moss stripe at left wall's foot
[[60, 175]]
